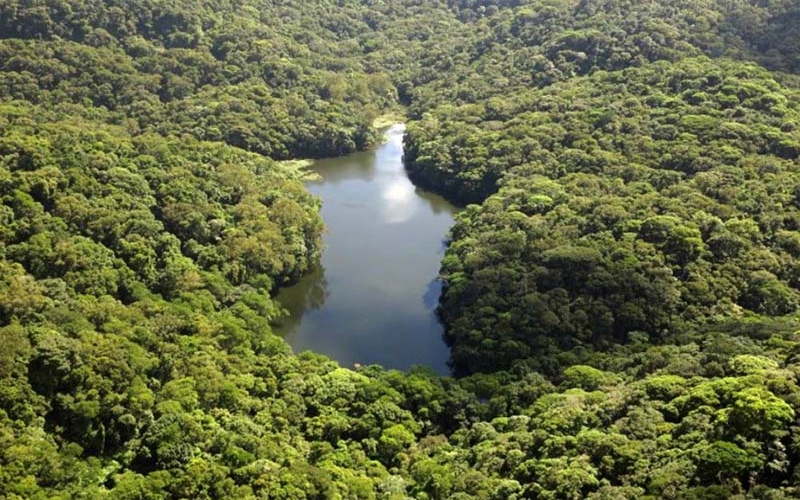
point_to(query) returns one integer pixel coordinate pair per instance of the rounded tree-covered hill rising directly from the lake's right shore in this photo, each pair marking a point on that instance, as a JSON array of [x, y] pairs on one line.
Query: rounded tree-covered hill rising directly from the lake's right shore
[[642, 231]]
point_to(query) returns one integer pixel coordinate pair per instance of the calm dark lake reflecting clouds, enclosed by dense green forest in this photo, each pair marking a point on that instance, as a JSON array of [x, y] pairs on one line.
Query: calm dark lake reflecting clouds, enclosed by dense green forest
[[373, 299]]
